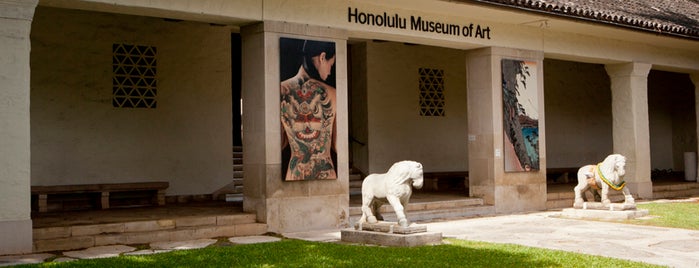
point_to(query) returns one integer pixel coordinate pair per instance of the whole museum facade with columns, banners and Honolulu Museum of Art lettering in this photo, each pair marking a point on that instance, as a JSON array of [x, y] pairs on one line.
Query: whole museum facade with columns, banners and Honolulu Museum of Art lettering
[[130, 91]]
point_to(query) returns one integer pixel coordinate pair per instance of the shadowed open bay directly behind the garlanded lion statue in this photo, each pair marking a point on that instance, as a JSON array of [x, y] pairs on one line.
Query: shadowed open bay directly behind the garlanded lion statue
[[578, 104]]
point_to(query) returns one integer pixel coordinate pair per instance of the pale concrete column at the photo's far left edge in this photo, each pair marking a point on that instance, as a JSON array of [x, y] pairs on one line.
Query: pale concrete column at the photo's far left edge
[[15, 209]]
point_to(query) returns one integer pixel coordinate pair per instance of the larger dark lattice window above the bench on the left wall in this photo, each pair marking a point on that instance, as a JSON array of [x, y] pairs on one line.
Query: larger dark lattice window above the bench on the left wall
[[134, 84]]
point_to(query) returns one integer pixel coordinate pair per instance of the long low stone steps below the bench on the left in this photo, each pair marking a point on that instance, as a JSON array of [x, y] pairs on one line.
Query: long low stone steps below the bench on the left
[[143, 232]]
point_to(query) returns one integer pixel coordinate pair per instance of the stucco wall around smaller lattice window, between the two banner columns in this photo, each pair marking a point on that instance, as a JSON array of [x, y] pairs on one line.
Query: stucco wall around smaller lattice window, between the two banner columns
[[397, 131]]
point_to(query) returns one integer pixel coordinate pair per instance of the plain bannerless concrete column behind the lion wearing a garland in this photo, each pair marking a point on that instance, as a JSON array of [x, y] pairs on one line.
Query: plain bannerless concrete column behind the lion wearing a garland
[[629, 82]]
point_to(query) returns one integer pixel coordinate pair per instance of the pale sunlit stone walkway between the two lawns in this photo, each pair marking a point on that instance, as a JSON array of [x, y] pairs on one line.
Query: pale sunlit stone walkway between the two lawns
[[673, 247]]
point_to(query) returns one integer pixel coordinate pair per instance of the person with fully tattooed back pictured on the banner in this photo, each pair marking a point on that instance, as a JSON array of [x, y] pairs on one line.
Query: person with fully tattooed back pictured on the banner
[[308, 122]]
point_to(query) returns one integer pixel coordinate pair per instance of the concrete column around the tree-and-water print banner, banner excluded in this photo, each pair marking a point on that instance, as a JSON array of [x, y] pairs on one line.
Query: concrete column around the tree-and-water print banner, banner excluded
[[507, 191]]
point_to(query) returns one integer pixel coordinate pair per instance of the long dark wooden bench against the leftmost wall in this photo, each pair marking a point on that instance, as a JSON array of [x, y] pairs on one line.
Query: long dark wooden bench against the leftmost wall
[[104, 190]]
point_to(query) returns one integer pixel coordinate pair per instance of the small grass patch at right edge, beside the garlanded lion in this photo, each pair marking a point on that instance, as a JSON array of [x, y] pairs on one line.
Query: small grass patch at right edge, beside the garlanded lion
[[676, 214]]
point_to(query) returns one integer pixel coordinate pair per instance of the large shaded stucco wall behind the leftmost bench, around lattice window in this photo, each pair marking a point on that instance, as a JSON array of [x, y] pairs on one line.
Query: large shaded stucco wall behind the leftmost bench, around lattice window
[[79, 137]]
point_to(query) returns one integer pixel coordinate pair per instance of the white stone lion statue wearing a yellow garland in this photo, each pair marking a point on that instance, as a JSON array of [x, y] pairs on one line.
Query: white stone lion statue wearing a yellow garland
[[605, 175]]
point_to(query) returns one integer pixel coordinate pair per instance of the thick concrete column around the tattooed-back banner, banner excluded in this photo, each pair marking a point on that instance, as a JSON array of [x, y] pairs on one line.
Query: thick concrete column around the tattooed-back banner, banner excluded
[[298, 205]]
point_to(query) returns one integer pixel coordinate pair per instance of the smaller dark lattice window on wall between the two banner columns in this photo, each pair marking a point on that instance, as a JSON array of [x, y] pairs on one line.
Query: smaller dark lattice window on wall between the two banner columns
[[431, 92]]
